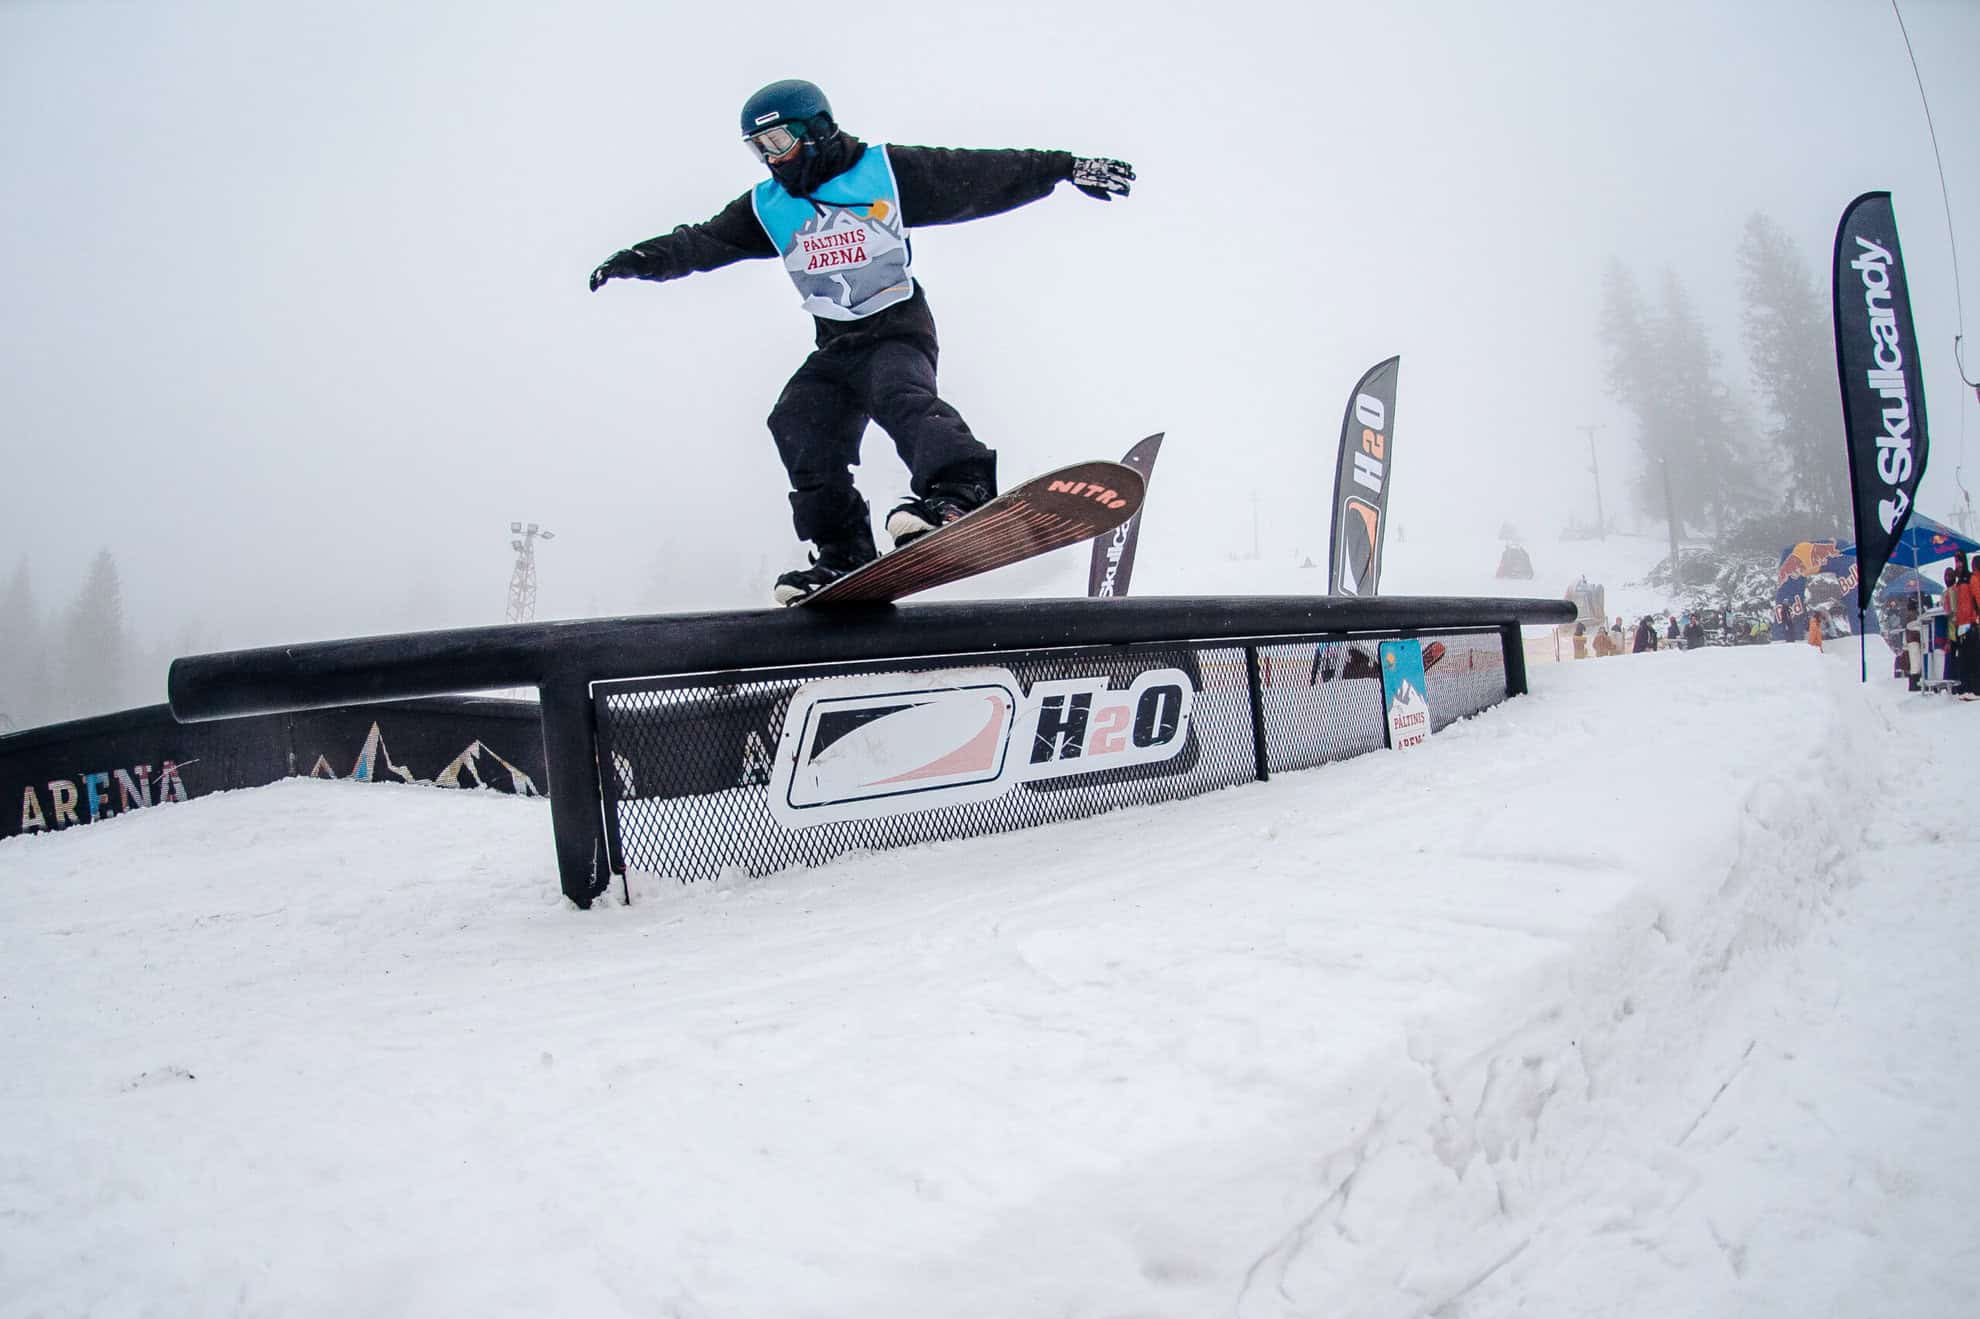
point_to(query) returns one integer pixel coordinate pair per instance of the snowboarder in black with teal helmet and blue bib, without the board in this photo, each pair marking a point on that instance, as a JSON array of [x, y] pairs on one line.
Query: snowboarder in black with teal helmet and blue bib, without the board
[[839, 215]]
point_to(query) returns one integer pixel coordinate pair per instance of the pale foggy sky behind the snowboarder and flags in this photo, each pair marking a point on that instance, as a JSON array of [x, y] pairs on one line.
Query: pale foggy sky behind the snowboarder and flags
[[296, 316]]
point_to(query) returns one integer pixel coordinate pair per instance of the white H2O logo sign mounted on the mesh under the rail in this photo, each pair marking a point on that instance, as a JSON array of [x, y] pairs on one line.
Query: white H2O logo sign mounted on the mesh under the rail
[[878, 746]]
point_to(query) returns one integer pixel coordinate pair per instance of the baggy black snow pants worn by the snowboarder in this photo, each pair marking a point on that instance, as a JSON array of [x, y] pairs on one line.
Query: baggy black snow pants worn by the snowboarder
[[825, 411]]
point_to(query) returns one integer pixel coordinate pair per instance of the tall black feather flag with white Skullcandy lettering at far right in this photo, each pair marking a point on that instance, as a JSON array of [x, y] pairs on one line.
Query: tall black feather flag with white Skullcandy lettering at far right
[[1884, 387]]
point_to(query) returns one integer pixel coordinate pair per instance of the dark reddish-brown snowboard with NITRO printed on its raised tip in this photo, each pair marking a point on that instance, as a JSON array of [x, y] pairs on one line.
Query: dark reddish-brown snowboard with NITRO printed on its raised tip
[[1037, 518]]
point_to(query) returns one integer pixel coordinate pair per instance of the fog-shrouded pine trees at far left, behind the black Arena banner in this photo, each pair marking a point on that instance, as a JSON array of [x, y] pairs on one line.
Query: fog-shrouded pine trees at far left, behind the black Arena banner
[[72, 662]]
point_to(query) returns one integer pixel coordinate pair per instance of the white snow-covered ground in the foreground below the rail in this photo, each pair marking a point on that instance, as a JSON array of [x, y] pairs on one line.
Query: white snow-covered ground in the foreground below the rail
[[1646, 995]]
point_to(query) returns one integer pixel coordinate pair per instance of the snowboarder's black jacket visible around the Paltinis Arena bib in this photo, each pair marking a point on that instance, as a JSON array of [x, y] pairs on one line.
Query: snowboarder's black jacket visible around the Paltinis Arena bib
[[940, 185]]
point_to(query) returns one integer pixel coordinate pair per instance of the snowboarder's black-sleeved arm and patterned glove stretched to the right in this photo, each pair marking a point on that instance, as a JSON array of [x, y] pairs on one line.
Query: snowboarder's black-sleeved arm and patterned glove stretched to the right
[[943, 185]]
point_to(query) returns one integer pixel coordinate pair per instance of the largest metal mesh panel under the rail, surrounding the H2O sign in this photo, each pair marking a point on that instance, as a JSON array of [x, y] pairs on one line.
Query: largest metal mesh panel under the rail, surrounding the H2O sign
[[688, 763]]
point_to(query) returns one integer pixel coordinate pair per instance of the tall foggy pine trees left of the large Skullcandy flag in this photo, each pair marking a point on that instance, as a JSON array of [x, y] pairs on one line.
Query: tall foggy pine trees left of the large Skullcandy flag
[[1749, 474]]
